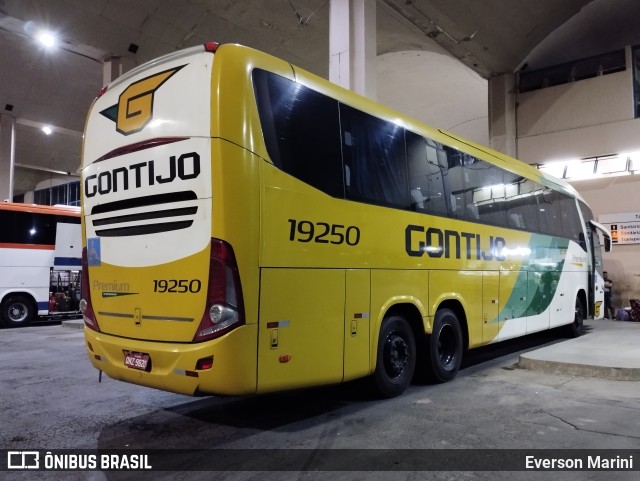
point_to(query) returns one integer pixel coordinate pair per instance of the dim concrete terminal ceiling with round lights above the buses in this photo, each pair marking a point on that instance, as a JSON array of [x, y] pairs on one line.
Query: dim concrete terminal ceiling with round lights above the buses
[[40, 87]]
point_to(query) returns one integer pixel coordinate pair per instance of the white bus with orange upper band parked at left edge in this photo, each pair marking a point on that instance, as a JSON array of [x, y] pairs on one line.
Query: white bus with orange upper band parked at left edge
[[40, 261]]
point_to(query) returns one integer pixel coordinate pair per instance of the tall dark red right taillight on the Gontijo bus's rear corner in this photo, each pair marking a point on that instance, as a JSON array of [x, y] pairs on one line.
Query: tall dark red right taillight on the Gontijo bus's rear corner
[[224, 310]]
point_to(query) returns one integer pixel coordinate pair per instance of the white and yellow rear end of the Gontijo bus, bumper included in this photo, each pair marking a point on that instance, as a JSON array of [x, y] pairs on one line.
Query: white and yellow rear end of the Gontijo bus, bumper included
[[162, 300]]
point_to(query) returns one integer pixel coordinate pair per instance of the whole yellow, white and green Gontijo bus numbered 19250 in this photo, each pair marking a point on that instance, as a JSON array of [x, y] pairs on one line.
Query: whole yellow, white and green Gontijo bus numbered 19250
[[250, 227]]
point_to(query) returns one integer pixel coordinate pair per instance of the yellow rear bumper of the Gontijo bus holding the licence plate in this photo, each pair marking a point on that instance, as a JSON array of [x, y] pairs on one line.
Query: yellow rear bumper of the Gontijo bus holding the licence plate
[[172, 366]]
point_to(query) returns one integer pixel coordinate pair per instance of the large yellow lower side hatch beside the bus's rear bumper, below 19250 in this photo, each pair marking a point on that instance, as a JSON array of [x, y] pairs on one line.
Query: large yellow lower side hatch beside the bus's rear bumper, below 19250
[[301, 328]]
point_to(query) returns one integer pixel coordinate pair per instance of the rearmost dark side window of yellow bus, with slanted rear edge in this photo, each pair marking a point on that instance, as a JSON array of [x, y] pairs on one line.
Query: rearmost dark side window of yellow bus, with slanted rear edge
[[301, 131]]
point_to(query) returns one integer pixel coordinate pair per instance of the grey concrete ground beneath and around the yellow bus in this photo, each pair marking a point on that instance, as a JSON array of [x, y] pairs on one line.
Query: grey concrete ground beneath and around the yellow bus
[[51, 400]]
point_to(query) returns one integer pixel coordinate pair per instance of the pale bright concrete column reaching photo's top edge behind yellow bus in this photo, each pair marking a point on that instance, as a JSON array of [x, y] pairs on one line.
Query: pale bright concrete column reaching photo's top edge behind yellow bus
[[352, 45]]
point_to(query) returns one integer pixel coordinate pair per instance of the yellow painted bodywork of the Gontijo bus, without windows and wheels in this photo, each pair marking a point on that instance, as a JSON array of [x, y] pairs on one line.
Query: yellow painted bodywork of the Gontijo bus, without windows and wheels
[[313, 310]]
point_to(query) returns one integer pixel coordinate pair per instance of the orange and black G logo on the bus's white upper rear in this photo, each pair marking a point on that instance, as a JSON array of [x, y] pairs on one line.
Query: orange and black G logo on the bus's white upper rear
[[134, 109]]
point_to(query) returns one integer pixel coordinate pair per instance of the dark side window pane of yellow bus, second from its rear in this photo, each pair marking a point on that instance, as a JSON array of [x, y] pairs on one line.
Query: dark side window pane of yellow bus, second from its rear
[[374, 158]]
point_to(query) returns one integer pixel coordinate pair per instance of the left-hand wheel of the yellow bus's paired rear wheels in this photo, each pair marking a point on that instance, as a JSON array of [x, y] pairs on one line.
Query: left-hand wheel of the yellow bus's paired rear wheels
[[396, 359]]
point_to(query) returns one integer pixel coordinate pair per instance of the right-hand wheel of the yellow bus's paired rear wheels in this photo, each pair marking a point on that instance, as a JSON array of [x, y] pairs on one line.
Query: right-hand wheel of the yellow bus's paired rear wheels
[[445, 346]]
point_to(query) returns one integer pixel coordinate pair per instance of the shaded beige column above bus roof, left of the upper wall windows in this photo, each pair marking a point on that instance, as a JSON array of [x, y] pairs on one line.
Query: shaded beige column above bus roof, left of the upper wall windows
[[503, 126]]
